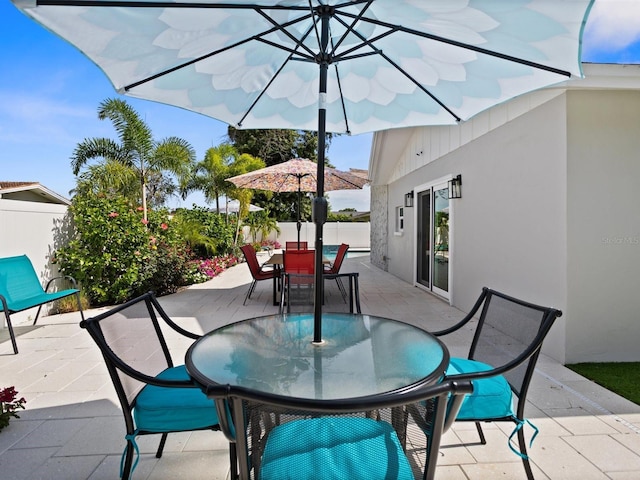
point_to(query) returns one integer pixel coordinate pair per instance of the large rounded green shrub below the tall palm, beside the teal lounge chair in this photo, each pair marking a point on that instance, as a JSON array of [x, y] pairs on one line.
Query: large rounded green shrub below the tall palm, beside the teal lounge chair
[[113, 254]]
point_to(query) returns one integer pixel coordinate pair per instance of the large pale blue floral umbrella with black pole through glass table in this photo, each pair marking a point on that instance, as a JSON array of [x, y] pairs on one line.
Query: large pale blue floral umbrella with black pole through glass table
[[327, 65]]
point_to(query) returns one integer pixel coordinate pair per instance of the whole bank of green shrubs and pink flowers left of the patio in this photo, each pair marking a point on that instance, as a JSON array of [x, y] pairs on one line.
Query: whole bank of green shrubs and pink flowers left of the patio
[[117, 254]]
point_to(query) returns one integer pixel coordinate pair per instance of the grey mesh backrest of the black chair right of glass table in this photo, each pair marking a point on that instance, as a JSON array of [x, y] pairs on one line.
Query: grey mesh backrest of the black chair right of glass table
[[510, 332]]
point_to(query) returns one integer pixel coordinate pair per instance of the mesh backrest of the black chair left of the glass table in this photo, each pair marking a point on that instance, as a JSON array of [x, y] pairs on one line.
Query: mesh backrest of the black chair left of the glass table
[[132, 342]]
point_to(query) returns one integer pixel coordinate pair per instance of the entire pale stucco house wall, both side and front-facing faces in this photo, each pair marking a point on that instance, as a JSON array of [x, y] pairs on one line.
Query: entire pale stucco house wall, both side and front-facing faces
[[548, 210]]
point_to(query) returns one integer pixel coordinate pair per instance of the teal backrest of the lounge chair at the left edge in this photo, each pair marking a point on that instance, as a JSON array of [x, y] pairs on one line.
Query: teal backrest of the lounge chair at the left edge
[[18, 279]]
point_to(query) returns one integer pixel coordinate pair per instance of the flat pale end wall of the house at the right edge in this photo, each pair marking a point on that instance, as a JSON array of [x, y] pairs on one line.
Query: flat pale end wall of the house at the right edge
[[604, 226]]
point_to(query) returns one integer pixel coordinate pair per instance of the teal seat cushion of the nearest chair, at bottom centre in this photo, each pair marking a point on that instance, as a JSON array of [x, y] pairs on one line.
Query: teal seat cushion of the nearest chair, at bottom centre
[[330, 448]]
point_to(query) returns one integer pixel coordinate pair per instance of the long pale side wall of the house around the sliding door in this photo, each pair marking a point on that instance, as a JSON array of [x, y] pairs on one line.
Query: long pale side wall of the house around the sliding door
[[509, 228]]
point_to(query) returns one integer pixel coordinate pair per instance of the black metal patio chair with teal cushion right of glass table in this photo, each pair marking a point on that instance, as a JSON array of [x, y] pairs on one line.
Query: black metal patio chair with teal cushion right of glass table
[[501, 361]]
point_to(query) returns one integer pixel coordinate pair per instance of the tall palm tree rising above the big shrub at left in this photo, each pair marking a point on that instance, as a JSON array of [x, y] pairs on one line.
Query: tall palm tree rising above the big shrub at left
[[137, 149]]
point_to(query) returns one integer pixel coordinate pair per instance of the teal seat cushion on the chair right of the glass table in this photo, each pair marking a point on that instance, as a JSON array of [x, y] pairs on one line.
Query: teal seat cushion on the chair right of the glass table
[[491, 398]]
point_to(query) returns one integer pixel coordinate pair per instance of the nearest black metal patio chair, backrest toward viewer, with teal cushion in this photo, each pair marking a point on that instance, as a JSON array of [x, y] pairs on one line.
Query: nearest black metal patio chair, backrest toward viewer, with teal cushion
[[280, 437]]
